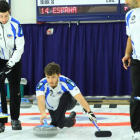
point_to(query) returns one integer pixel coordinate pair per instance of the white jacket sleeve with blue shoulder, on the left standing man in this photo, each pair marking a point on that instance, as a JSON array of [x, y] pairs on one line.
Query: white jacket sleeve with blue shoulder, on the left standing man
[[18, 47]]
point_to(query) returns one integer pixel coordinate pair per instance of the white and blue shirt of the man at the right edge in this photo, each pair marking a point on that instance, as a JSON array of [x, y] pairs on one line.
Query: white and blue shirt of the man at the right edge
[[133, 30]]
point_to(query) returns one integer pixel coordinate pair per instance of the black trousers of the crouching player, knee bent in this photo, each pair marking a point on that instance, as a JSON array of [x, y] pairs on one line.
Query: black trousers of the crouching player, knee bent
[[67, 102]]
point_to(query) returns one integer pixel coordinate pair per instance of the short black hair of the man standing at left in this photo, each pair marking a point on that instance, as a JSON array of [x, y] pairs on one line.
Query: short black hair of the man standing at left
[[4, 6]]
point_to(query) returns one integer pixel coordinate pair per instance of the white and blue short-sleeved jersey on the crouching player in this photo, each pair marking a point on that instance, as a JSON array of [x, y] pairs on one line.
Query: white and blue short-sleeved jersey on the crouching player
[[52, 96]]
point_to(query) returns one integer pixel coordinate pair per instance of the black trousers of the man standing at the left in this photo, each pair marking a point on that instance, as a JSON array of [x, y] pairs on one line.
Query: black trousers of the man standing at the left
[[14, 86]]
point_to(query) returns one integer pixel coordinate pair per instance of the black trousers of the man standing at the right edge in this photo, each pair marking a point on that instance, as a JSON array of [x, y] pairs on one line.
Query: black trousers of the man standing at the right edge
[[135, 104]]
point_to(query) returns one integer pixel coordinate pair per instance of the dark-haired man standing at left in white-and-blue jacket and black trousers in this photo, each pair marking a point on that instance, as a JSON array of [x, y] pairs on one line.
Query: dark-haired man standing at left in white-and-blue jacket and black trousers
[[11, 50]]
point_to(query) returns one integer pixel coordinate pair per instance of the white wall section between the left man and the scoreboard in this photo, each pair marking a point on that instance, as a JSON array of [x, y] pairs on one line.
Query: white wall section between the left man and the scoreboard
[[24, 11]]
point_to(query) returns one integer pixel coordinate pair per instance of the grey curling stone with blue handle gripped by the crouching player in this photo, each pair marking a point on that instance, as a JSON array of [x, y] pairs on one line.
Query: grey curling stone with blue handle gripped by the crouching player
[[45, 130]]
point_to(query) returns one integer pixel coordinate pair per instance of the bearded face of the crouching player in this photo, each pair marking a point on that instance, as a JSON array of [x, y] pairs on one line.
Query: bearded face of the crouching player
[[52, 80]]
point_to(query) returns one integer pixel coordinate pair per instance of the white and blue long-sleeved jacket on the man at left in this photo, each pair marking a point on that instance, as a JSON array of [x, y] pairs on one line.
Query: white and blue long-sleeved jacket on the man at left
[[11, 41]]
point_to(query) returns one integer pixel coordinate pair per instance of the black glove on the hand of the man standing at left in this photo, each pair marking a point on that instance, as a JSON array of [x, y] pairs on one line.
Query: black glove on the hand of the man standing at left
[[5, 71]]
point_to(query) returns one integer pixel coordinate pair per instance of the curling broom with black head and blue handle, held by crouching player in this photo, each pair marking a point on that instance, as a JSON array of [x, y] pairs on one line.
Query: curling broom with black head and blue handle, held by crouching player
[[100, 133]]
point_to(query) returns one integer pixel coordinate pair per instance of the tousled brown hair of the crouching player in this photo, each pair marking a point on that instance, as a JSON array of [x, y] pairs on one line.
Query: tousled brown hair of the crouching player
[[51, 69]]
